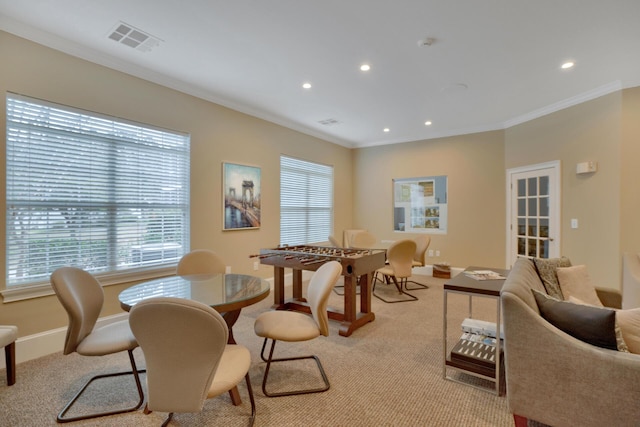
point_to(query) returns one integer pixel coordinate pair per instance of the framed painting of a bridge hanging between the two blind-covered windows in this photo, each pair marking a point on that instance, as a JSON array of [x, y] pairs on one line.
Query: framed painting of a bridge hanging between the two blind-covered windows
[[241, 196]]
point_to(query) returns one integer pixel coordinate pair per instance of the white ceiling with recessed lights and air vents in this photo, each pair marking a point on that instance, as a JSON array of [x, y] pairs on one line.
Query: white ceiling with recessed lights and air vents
[[466, 65]]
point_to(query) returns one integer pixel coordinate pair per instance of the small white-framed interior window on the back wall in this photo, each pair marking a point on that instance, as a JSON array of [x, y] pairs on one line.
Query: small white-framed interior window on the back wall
[[420, 205]]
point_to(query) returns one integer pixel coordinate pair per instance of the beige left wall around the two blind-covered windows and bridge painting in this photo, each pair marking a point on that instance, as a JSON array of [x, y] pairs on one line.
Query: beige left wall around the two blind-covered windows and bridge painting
[[217, 134]]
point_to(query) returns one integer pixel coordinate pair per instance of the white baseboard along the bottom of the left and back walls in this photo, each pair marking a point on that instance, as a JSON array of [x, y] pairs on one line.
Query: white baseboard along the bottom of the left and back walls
[[48, 342]]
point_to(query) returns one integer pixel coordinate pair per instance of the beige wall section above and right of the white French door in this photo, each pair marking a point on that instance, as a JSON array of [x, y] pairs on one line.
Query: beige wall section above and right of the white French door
[[589, 131]]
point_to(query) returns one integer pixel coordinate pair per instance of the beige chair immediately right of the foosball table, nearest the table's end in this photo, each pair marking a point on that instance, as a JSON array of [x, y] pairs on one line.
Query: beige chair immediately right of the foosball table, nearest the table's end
[[398, 270]]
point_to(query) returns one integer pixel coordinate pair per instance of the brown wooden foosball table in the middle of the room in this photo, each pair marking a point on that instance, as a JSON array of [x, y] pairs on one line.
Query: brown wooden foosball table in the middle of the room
[[358, 266]]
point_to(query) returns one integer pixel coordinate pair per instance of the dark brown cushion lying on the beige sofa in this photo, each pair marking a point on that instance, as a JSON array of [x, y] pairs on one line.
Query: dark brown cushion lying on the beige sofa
[[593, 325]]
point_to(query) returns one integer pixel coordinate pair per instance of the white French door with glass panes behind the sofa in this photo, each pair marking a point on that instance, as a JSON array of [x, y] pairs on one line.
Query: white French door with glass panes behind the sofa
[[533, 212]]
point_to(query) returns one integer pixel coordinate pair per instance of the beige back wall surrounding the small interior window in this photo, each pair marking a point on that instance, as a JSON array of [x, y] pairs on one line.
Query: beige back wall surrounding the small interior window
[[474, 166]]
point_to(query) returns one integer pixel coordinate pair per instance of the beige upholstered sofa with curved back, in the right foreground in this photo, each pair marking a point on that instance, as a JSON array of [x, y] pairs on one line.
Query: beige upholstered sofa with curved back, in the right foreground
[[558, 380]]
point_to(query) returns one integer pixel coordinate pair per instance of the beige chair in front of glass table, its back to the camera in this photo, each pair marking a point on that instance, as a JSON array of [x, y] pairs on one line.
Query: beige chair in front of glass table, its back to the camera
[[184, 343]]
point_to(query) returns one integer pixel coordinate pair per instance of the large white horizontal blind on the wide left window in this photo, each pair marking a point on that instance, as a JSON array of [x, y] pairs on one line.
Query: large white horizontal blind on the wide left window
[[91, 191]]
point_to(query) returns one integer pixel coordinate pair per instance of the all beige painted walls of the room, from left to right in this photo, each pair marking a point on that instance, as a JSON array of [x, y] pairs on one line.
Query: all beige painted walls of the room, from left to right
[[606, 203]]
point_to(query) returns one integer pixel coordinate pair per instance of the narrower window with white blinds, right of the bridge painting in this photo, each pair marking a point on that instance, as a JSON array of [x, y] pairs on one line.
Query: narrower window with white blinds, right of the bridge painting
[[306, 201]]
